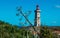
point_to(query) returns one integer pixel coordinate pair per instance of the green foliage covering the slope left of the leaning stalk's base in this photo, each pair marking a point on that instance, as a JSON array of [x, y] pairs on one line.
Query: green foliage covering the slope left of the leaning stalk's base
[[9, 31]]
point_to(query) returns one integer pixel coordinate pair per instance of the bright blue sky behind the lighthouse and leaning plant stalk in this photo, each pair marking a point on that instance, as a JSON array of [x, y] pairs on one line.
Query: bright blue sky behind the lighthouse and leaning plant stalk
[[50, 11]]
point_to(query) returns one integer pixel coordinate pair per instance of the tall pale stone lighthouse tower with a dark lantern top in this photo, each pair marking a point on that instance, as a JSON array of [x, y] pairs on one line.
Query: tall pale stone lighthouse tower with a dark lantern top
[[37, 16]]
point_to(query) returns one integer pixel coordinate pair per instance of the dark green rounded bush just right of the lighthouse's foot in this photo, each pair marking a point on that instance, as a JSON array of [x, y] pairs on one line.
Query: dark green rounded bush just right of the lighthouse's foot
[[45, 32]]
